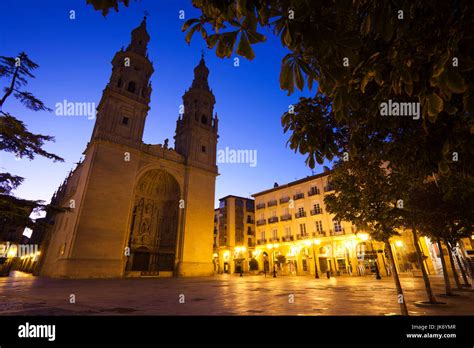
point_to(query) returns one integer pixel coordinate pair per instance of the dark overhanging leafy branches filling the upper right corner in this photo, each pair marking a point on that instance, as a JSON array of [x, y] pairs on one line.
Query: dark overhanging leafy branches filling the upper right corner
[[362, 54]]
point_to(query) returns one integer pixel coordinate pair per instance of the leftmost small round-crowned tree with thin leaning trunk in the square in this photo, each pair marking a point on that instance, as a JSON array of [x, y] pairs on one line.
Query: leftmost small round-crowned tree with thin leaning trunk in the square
[[367, 197]]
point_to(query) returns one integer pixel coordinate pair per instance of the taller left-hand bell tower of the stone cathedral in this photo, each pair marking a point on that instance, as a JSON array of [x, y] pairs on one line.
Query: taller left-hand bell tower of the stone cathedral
[[123, 107]]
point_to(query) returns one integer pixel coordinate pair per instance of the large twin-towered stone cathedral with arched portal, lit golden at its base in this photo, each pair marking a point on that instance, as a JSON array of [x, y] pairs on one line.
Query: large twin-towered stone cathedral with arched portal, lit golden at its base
[[136, 209]]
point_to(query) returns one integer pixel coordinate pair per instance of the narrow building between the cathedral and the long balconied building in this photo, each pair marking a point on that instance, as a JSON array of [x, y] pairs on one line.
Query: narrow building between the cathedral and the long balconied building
[[234, 234]]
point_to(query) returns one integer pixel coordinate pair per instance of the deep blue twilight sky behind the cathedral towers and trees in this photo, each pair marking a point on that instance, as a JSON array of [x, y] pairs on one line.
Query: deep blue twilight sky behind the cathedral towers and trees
[[74, 58]]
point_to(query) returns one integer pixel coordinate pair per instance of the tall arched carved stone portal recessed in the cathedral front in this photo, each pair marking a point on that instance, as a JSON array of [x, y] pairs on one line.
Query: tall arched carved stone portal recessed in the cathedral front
[[154, 225]]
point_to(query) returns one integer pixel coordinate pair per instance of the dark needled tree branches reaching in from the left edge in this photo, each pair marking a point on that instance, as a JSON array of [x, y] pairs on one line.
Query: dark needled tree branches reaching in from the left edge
[[15, 138]]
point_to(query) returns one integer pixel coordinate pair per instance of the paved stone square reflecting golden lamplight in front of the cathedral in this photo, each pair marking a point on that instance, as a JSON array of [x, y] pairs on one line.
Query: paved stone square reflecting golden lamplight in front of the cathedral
[[222, 295]]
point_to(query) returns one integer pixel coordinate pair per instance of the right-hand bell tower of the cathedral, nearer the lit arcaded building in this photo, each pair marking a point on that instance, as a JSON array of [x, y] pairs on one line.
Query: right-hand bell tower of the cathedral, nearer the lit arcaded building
[[196, 130]]
